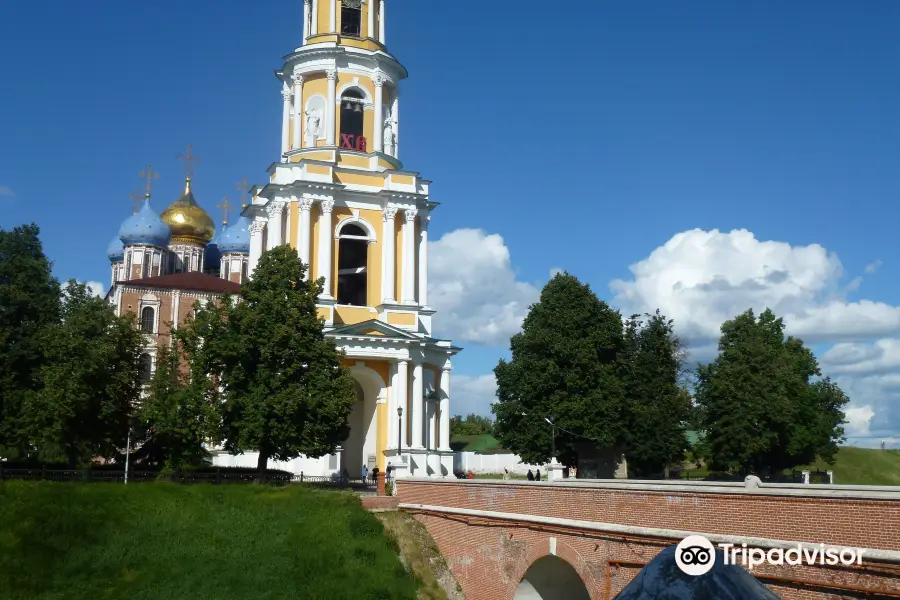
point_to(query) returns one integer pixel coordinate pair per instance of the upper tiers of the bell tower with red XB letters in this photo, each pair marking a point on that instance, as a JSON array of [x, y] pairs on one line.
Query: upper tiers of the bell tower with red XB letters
[[341, 88]]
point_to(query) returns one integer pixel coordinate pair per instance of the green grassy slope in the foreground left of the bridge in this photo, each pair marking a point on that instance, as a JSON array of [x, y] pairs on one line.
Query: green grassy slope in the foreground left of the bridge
[[165, 541]]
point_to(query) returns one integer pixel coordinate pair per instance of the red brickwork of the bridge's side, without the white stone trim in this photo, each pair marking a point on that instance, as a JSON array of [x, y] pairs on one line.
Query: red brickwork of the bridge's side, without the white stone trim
[[490, 557]]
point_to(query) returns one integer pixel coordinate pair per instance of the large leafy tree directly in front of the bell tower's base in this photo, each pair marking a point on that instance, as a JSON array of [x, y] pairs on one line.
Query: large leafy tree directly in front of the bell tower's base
[[285, 392]]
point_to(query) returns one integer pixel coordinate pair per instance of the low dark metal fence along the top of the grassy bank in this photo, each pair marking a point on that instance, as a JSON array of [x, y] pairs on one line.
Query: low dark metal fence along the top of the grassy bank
[[215, 477]]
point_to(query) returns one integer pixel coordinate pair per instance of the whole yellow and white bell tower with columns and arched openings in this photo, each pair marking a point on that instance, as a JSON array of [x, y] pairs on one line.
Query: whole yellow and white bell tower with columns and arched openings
[[340, 196]]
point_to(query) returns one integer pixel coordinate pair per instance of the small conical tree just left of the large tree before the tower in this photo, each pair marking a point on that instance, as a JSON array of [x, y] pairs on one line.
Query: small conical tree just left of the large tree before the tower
[[179, 413]]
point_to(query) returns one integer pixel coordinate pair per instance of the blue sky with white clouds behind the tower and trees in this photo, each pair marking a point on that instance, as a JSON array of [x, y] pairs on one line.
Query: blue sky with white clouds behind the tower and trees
[[699, 157]]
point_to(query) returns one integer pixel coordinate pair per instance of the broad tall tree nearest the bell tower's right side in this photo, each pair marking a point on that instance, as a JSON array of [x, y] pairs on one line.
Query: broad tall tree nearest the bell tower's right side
[[563, 368]]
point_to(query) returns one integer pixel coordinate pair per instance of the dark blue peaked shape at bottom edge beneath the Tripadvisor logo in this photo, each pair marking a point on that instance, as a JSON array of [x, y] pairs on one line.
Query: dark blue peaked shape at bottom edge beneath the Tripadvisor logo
[[661, 579]]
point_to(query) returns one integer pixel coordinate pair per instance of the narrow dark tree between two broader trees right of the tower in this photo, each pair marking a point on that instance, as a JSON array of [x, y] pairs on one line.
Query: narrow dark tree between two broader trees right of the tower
[[657, 409]]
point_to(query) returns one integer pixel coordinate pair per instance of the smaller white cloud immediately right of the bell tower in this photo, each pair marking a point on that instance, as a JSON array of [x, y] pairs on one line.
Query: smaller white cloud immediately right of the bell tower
[[472, 283]]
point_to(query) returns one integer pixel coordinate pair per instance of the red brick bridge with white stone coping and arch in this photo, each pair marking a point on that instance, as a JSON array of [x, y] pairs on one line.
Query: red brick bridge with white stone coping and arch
[[586, 539]]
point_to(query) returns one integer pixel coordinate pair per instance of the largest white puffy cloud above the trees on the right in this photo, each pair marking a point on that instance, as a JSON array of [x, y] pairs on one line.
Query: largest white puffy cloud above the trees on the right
[[702, 278]]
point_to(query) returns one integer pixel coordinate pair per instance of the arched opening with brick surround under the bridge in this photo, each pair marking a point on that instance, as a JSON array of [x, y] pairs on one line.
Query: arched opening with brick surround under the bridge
[[552, 575]]
